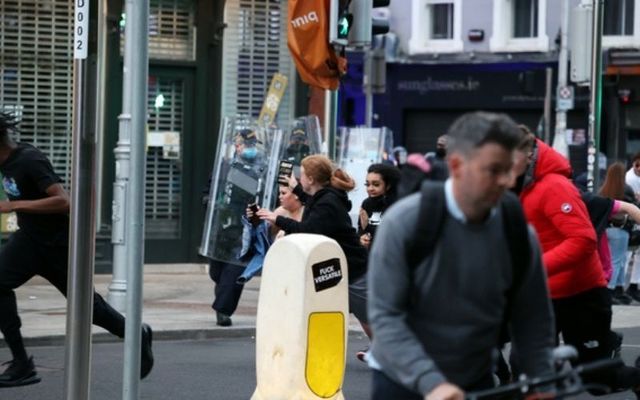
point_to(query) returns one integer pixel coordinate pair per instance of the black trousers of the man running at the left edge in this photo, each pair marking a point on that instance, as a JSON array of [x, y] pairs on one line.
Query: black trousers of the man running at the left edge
[[21, 258]]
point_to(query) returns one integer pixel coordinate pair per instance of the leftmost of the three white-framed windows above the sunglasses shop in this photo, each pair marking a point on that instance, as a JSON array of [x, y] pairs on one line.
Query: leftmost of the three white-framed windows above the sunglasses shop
[[436, 26]]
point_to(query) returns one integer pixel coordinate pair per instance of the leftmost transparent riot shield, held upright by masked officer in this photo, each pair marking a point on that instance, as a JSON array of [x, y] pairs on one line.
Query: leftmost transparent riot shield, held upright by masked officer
[[239, 177]]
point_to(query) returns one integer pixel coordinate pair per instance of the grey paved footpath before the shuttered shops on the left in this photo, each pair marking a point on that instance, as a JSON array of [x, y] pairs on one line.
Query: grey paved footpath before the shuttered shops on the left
[[176, 303]]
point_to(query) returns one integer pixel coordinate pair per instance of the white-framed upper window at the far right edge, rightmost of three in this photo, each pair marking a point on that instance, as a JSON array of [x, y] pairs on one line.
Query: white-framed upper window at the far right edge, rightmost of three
[[621, 27]]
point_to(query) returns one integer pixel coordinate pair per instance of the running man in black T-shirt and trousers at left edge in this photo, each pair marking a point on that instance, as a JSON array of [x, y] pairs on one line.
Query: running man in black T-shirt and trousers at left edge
[[39, 247]]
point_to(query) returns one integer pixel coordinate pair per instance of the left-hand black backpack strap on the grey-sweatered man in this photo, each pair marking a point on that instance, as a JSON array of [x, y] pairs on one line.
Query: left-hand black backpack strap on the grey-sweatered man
[[430, 220]]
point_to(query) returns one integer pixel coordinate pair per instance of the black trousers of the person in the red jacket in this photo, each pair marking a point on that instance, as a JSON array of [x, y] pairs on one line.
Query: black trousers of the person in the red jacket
[[584, 320]]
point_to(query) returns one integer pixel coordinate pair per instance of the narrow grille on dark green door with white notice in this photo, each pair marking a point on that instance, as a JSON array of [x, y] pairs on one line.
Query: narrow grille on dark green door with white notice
[[163, 173]]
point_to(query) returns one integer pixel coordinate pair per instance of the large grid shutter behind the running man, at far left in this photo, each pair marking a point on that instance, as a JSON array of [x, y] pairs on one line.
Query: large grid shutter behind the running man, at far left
[[36, 72]]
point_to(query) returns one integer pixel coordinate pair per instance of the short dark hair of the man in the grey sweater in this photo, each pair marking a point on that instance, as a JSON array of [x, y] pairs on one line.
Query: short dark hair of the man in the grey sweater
[[475, 129]]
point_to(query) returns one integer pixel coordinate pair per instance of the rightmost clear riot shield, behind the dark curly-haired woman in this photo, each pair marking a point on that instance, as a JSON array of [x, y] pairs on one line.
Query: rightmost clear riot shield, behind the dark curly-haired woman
[[359, 148]]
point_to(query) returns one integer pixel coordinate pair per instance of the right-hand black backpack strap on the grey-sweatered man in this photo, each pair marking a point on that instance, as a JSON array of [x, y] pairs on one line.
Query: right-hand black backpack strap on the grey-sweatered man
[[517, 233]]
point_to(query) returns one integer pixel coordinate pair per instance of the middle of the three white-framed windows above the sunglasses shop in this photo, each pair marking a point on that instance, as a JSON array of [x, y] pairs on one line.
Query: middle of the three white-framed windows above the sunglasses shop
[[519, 26]]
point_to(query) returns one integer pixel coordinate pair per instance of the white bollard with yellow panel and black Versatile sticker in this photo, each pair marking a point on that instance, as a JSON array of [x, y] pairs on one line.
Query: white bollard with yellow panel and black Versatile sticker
[[301, 328]]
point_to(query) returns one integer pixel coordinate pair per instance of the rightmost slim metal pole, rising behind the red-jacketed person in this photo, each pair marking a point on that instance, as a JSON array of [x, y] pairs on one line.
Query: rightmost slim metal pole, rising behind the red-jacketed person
[[595, 98]]
